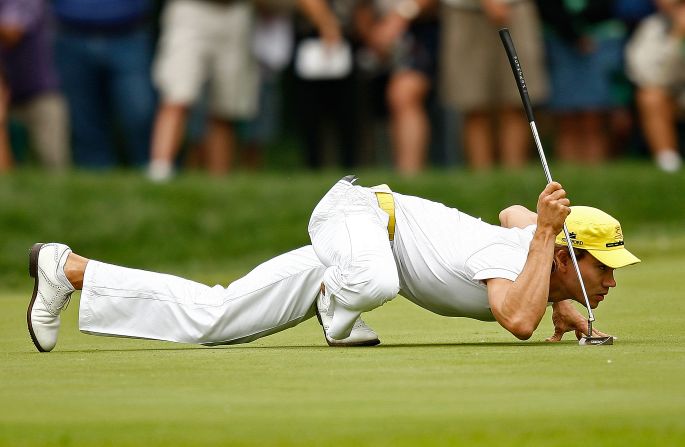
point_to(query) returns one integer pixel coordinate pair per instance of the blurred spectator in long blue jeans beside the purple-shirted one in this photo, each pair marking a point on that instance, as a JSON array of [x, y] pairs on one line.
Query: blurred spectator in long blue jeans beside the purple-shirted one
[[103, 53]]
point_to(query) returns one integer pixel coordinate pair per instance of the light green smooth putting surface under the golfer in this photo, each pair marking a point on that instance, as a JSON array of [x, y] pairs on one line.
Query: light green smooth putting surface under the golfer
[[433, 381]]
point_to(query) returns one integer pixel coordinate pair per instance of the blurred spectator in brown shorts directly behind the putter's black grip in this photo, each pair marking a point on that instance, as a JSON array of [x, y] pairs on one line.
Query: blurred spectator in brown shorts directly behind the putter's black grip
[[476, 77]]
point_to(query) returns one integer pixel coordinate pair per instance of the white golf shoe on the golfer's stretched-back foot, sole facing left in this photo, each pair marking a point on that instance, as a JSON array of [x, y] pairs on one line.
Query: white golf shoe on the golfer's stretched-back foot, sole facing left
[[51, 292]]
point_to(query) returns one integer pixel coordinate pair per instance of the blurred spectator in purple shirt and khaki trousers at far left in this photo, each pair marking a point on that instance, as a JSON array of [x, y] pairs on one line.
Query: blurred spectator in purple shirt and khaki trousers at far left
[[34, 97]]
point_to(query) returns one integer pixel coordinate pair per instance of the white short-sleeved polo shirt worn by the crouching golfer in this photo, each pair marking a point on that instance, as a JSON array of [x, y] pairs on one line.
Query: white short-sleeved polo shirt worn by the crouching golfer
[[443, 256]]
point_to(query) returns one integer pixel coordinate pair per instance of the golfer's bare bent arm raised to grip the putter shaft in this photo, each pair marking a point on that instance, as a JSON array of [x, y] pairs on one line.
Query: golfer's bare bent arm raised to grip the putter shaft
[[520, 305]]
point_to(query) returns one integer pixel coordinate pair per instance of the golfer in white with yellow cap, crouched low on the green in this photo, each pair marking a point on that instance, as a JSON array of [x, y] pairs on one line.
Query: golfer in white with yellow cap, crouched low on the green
[[368, 244]]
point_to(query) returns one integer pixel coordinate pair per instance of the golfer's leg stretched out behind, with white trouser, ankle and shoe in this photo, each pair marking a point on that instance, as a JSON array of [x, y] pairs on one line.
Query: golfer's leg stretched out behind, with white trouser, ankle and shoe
[[120, 301]]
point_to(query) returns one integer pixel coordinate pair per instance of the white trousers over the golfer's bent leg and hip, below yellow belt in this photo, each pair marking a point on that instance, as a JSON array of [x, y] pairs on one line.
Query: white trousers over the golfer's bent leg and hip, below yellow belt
[[349, 234]]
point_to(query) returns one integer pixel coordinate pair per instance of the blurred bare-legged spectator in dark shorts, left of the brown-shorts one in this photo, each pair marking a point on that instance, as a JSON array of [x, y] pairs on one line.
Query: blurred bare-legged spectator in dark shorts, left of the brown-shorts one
[[402, 37]]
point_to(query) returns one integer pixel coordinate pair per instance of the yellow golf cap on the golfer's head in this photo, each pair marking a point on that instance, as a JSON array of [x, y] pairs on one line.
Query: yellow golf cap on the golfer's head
[[597, 232]]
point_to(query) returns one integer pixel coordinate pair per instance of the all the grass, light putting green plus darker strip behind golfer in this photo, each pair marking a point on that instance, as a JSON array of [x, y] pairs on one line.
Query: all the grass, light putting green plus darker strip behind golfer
[[433, 381]]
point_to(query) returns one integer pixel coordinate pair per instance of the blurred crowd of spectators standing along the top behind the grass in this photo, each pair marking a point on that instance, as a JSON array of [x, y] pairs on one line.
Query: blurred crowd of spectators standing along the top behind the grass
[[164, 86]]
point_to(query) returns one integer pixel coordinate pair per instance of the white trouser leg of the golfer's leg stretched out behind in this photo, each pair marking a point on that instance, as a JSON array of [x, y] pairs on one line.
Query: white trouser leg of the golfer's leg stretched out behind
[[276, 295]]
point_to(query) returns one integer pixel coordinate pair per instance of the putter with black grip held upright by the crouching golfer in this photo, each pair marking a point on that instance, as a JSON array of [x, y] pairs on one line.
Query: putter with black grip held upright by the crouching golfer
[[587, 340]]
